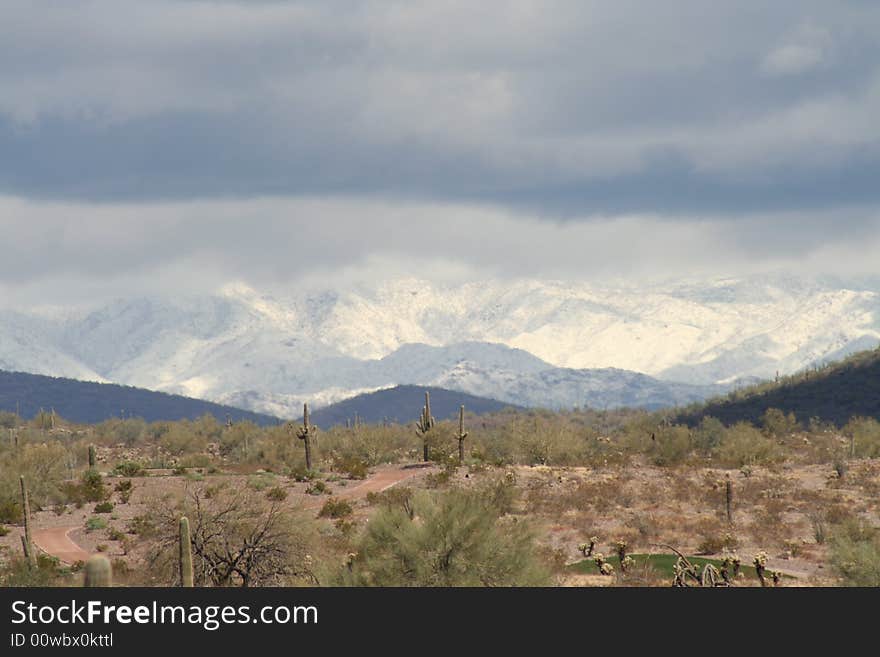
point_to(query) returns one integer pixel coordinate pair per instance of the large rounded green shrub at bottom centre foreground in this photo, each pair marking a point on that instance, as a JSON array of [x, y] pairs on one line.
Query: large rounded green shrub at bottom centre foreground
[[458, 538]]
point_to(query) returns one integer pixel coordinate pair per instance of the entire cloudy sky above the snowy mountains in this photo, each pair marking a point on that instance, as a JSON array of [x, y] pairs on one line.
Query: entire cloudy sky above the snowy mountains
[[159, 145]]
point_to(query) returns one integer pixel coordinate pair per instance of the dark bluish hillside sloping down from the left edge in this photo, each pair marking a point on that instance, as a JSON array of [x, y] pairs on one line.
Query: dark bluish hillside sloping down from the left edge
[[85, 402]]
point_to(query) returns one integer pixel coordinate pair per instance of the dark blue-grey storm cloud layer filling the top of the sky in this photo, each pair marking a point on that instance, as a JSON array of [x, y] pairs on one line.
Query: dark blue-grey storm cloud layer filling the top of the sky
[[565, 107]]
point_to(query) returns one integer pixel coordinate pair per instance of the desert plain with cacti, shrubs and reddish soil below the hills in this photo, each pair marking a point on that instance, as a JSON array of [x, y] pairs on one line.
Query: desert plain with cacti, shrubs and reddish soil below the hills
[[516, 498]]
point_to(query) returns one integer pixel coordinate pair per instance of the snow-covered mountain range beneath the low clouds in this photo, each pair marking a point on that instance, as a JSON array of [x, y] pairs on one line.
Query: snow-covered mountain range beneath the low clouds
[[526, 342]]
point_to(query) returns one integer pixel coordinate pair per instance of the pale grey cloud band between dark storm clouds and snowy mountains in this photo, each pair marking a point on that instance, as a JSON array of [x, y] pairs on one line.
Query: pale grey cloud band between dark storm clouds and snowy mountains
[[66, 252]]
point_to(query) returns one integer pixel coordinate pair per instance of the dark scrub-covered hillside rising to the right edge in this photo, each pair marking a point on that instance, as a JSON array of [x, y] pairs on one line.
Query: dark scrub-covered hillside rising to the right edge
[[834, 393]]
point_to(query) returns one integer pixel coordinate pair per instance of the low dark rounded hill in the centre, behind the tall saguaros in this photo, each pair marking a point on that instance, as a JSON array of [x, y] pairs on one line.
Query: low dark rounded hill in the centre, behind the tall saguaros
[[402, 405]]
